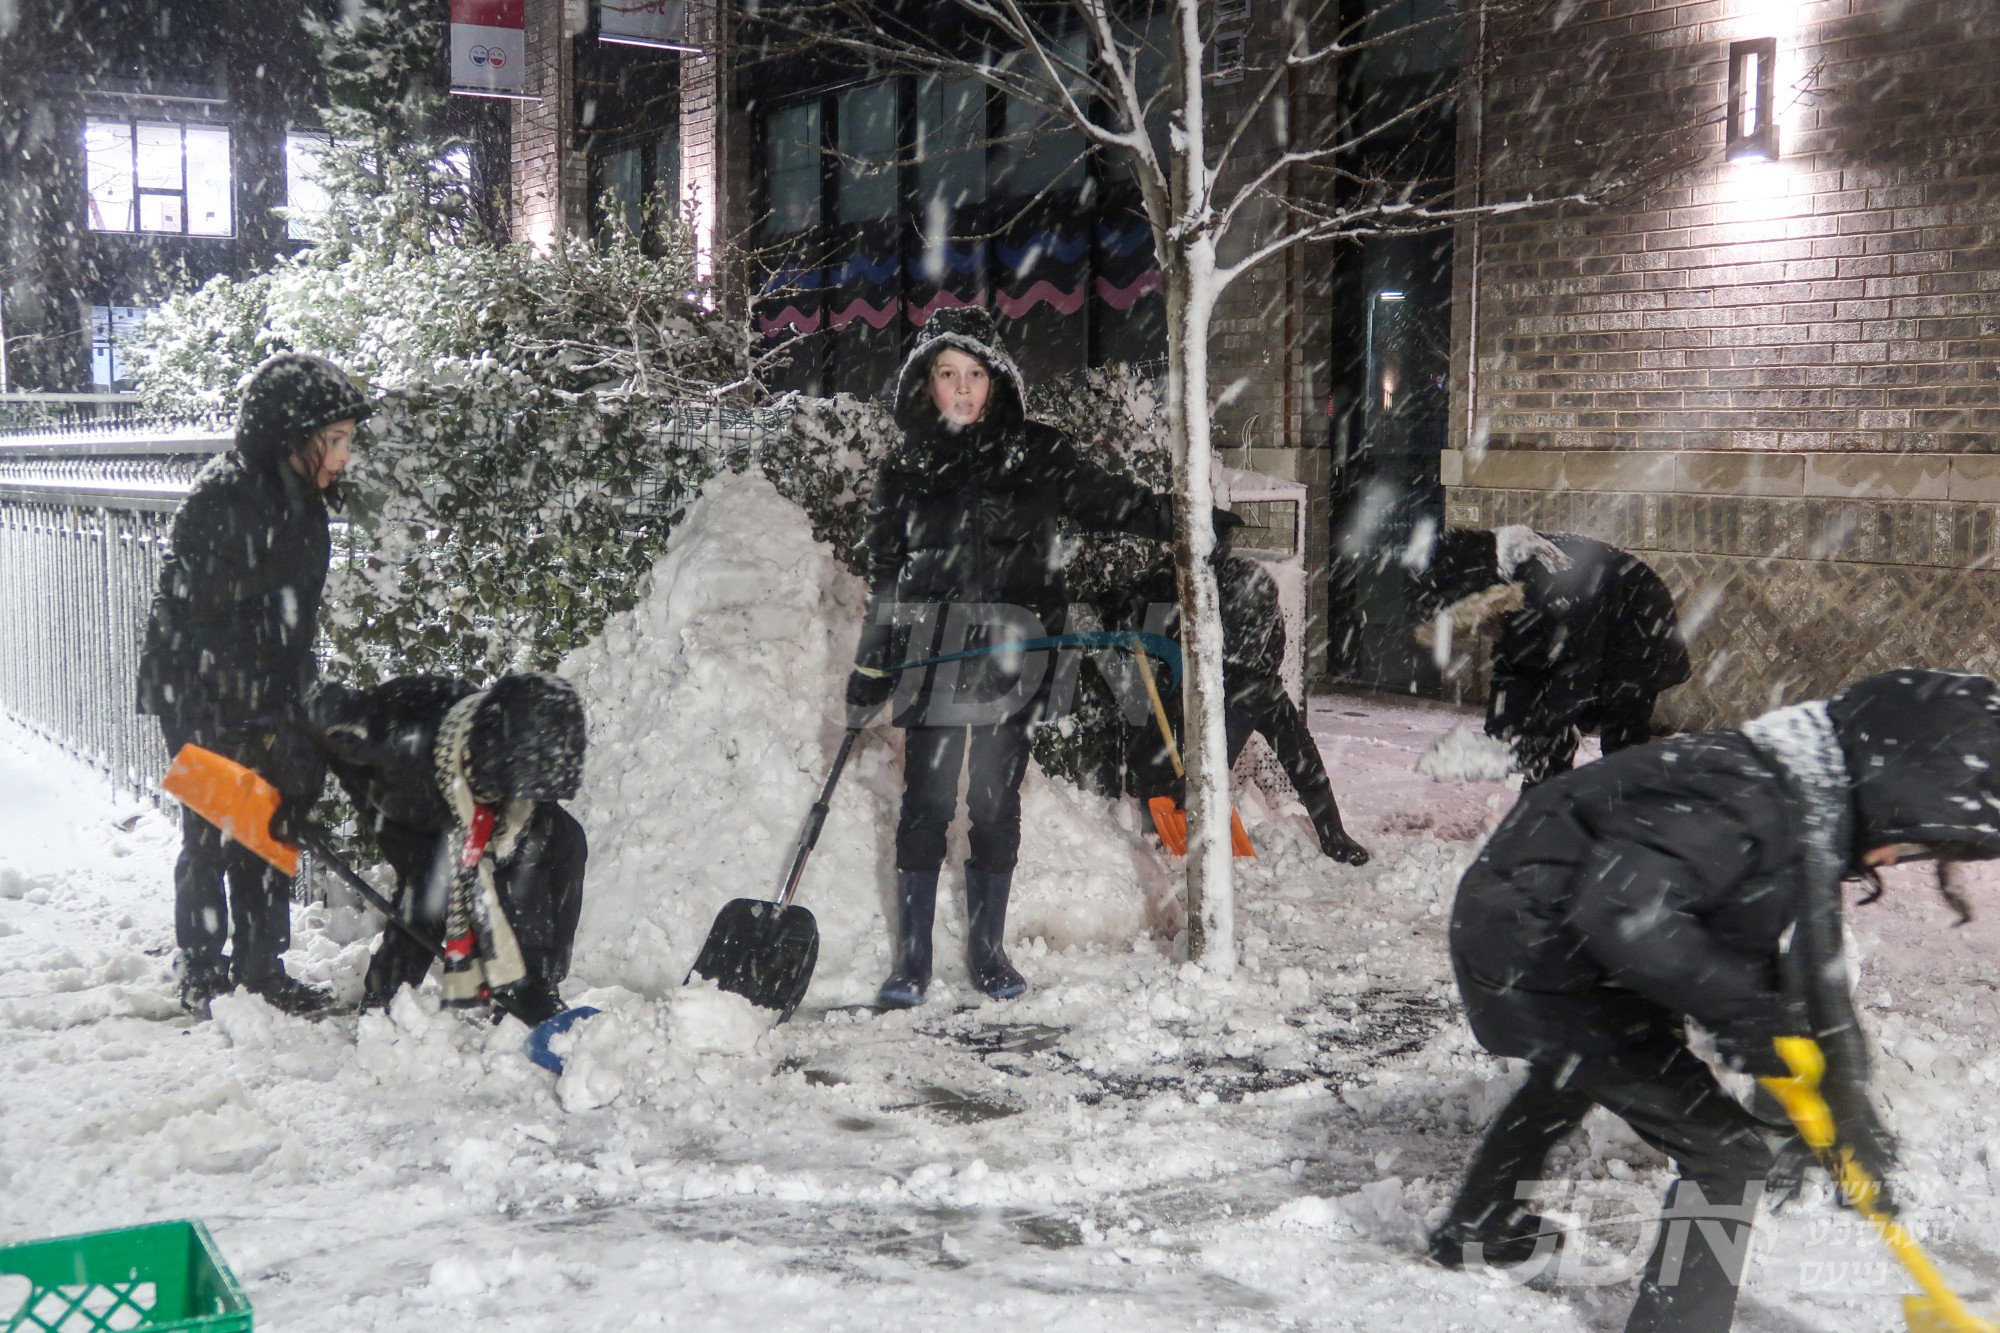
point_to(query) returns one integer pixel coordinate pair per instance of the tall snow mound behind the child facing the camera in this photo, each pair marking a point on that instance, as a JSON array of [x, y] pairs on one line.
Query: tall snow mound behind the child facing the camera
[[715, 714]]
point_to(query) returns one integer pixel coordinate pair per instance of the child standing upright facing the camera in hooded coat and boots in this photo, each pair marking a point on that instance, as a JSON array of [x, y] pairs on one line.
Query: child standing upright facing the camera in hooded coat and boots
[[965, 513]]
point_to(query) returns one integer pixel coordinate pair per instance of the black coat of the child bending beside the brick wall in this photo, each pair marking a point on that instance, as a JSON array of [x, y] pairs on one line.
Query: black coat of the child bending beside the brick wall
[[1585, 635]]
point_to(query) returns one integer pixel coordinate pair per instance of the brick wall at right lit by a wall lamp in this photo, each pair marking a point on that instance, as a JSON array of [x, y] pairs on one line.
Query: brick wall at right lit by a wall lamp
[[1777, 381]]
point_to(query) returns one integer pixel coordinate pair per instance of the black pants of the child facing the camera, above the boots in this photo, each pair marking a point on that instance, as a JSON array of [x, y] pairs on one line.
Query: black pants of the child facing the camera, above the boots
[[931, 764]]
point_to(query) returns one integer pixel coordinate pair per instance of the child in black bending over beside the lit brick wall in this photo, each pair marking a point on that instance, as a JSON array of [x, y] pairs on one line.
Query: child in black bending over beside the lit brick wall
[[1589, 637]]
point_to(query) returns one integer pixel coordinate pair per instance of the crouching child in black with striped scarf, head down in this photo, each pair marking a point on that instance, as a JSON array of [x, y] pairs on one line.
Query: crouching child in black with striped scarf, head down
[[455, 786]]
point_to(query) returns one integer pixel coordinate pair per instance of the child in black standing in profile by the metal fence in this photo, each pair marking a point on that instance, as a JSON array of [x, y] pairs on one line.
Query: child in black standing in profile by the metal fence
[[229, 655]]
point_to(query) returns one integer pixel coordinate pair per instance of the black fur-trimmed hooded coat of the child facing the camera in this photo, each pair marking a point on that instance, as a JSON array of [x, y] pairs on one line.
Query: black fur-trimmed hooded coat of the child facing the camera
[[975, 515]]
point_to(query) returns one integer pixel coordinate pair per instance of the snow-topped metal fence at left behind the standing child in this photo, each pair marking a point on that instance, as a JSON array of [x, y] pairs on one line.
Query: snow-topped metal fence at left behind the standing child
[[85, 511]]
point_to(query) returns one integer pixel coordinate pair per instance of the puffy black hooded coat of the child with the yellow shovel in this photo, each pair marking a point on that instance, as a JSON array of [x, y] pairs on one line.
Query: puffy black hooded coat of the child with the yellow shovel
[[1657, 884]]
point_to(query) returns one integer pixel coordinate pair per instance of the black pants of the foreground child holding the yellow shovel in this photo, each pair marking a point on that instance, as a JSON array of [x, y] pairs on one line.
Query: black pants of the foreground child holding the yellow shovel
[[1673, 1102]]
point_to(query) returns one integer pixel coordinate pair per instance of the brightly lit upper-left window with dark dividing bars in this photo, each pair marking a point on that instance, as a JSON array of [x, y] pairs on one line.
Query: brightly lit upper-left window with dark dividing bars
[[177, 177]]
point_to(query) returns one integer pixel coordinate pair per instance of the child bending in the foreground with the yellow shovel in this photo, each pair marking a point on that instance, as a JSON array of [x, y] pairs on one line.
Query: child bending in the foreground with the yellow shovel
[[1701, 880]]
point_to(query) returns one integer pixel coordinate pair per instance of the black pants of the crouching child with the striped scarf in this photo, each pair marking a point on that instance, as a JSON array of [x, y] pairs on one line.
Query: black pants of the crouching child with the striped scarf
[[541, 888]]
